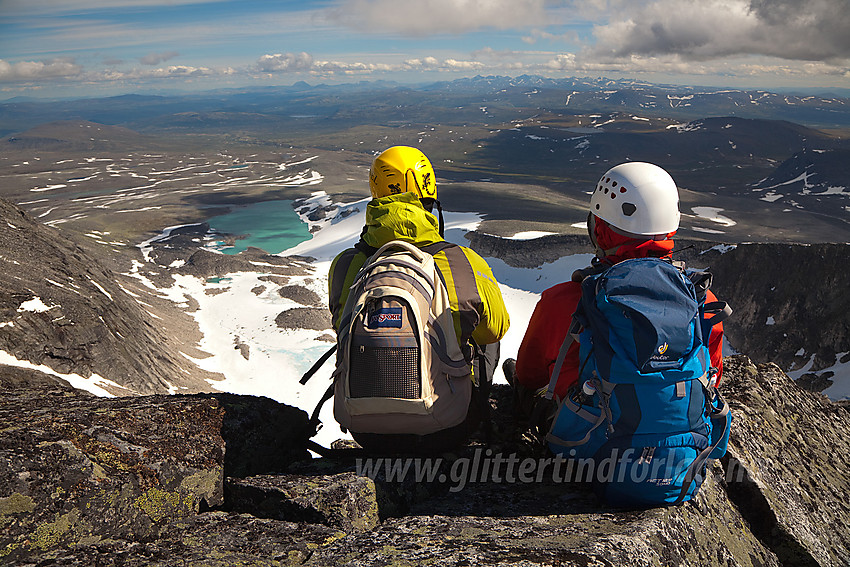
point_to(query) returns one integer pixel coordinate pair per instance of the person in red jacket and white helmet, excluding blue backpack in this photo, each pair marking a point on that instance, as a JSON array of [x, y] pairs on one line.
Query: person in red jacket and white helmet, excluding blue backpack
[[638, 227]]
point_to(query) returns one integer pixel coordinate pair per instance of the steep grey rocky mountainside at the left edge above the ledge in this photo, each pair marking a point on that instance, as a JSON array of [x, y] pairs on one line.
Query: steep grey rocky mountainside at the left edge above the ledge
[[60, 307]]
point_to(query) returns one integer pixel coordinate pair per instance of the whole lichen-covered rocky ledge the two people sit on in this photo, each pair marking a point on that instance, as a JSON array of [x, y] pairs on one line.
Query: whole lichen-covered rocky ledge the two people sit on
[[225, 480]]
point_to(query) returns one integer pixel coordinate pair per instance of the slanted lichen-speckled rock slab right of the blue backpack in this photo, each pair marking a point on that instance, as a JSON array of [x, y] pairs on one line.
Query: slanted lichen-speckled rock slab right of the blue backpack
[[787, 464]]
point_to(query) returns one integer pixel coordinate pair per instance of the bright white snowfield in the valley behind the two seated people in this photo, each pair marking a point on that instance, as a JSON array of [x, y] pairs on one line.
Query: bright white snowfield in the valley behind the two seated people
[[237, 314]]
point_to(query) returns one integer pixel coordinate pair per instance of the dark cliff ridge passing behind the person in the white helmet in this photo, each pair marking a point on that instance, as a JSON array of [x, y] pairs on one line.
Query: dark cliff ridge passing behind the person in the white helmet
[[790, 301]]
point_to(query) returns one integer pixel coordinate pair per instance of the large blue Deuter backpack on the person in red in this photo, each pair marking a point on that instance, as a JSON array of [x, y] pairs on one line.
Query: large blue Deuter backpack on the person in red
[[645, 416]]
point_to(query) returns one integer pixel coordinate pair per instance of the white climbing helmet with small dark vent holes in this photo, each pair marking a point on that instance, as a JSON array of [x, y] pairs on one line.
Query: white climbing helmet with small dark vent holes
[[638, 198]]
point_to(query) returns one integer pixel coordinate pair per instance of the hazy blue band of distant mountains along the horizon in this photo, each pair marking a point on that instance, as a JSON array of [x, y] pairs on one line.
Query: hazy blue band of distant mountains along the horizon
[[504, 95]]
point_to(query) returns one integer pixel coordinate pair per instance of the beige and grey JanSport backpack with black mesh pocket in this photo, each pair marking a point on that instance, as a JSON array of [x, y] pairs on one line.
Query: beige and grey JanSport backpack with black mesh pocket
[[399, 368]]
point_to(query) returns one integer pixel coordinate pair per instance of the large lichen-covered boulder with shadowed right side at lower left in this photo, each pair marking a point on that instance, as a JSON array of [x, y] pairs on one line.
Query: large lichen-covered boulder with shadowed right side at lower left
[[77, 471]]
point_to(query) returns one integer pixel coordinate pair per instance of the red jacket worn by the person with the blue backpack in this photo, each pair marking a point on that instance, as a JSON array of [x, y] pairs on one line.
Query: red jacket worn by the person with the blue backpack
[[551, 318]]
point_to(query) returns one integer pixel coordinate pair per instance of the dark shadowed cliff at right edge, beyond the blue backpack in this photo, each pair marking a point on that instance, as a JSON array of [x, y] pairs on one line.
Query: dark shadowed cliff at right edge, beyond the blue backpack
[[791, 301]]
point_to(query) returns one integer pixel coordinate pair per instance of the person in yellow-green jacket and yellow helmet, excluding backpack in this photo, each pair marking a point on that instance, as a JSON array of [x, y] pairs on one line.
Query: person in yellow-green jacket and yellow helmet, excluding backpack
[[404, 191]]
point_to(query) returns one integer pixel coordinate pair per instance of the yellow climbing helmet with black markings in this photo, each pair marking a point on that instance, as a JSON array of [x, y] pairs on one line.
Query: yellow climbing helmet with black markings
[[402, 169]]
